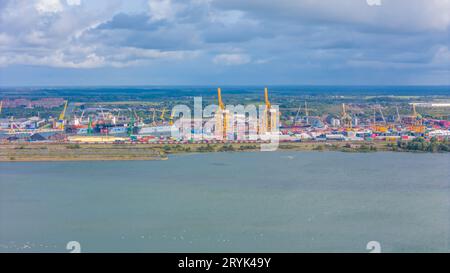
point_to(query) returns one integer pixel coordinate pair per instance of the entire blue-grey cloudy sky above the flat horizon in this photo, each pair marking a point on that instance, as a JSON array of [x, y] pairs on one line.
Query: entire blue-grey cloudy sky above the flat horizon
[[212, 42]]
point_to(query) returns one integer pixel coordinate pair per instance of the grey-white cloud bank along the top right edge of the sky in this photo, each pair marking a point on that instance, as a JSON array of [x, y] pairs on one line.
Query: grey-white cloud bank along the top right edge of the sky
[[399, 15]]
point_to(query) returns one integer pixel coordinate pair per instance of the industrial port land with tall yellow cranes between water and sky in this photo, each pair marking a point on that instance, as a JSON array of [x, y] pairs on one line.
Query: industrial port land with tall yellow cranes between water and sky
[[344, 122]]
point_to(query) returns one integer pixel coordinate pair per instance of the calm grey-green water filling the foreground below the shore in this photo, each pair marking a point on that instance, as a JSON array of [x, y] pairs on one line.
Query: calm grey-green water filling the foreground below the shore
[[230, 202]]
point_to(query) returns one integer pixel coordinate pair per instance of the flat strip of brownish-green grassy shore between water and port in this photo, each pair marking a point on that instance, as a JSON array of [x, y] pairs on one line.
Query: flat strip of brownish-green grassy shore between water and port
[[159, 151]]
